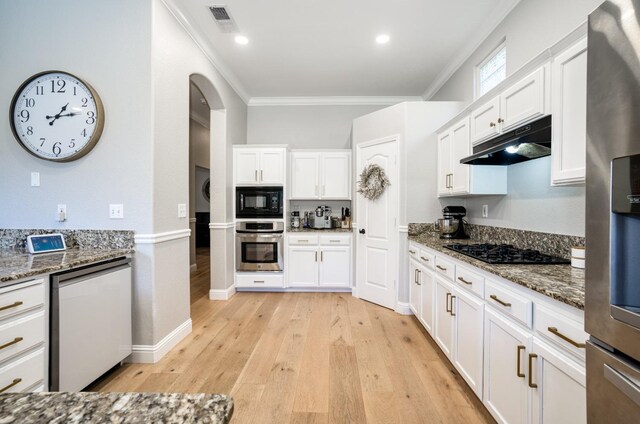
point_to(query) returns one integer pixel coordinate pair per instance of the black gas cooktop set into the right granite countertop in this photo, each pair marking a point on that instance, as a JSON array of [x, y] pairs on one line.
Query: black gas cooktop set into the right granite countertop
[[506, 254]]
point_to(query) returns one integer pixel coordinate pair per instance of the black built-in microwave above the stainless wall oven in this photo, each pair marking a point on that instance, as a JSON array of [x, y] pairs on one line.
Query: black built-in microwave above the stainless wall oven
[[259, 202]]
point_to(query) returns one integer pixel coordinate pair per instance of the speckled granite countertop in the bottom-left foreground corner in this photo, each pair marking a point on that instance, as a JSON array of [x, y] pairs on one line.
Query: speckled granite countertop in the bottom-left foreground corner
[[86, 407]]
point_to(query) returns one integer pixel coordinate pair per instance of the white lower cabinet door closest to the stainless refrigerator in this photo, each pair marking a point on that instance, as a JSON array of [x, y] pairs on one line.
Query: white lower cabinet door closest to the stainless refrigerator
[[560, 395]]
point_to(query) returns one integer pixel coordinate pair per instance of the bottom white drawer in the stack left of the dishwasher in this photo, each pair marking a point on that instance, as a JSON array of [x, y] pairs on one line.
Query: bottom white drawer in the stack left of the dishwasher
[[23, 373]]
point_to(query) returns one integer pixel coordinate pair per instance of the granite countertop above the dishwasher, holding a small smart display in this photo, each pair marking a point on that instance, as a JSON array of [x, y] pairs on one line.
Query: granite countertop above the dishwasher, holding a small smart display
[[16, 264]]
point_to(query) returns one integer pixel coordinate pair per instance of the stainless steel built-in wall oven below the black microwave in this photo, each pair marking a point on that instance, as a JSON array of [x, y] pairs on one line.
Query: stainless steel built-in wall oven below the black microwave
[[259, 246]]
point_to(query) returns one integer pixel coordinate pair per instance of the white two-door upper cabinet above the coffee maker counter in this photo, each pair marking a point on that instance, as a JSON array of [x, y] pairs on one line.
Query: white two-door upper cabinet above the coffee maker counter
[[320, 175]]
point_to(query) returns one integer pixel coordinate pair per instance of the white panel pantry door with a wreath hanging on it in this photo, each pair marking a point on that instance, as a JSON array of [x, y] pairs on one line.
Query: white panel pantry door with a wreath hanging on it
[[377, 242]]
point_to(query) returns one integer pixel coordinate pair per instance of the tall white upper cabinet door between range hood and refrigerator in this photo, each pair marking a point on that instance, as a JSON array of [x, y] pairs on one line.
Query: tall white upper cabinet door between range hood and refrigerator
[[569, 102]]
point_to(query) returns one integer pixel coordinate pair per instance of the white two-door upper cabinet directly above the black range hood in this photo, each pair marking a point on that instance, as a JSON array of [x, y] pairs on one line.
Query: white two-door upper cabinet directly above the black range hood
[[523, 101]]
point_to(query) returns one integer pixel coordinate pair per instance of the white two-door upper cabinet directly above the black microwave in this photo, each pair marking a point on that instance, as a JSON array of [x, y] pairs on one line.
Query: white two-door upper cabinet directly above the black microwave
[[259, 166]]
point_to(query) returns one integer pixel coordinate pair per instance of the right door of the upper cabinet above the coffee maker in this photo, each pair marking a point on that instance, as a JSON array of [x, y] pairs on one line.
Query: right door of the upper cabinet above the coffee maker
[[336, 176]]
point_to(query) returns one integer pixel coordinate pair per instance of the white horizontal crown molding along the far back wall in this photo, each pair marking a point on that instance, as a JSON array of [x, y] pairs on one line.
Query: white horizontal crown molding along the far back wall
[[332, 101]]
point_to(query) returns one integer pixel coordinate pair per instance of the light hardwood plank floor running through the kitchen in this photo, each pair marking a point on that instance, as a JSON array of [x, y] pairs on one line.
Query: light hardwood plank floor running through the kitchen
[[307, 358]]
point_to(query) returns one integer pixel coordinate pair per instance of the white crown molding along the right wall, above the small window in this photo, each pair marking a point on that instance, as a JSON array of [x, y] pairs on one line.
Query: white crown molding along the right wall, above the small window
[[465, 53]]
